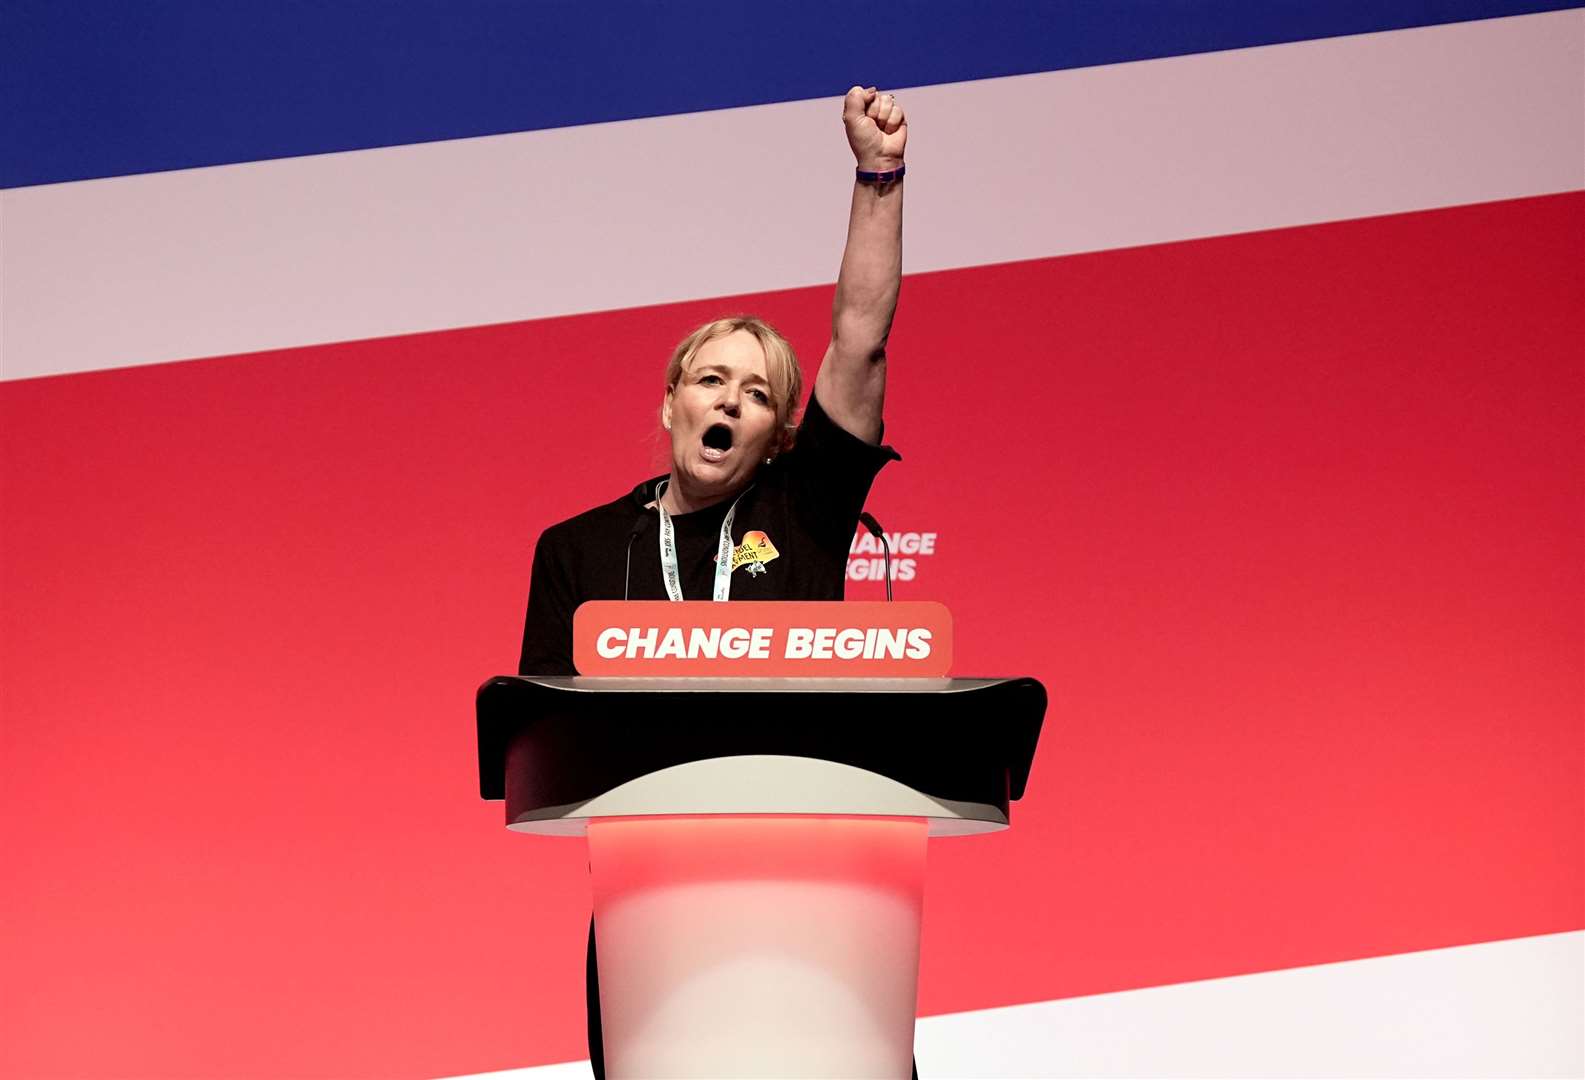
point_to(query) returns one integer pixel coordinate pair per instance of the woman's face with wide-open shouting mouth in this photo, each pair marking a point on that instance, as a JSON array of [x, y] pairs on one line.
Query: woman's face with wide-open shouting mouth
[[722, 419]]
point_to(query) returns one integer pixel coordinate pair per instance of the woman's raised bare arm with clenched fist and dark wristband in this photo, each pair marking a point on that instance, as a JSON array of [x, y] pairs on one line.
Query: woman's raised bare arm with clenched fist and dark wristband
[[852, 381]]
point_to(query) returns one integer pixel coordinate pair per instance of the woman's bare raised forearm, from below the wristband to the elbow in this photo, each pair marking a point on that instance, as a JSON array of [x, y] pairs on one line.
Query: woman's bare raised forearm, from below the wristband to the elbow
[[871, 275]]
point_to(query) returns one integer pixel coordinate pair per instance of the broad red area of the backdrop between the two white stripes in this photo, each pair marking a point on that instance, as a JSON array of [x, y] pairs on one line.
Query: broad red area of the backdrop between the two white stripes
[[1289, 524]]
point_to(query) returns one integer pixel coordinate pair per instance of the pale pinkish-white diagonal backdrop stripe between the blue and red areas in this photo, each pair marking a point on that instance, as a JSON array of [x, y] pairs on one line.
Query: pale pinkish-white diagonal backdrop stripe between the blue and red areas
[[400, 240]]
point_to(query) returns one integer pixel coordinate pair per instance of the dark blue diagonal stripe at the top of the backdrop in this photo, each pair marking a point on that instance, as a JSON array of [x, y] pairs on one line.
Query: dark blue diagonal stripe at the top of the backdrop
[[104, 88]]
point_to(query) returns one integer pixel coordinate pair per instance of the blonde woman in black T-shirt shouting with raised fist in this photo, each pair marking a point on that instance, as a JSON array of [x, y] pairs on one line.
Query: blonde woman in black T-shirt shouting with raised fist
[[754, 507]]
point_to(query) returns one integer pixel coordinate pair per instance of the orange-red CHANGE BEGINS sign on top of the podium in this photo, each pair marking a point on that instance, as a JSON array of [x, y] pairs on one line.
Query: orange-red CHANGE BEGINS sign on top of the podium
[[758, 640]]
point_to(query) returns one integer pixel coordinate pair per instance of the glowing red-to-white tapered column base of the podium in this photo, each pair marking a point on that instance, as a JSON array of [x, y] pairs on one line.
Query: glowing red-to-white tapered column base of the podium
[[758, 948]]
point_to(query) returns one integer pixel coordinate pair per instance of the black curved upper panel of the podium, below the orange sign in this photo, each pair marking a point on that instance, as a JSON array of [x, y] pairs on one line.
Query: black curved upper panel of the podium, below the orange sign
[[560, 741]]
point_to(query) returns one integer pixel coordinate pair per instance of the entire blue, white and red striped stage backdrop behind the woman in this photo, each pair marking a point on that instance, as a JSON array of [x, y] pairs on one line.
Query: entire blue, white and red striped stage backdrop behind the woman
[[1239, 386]]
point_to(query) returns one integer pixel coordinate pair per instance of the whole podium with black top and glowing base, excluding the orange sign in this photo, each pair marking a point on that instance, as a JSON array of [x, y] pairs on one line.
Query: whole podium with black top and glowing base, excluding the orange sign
[[757, 849]]
